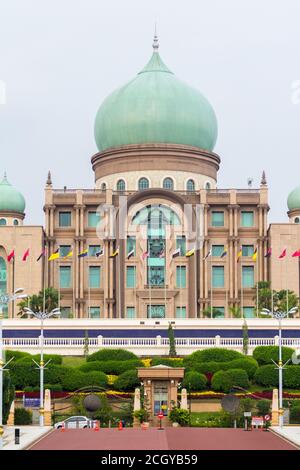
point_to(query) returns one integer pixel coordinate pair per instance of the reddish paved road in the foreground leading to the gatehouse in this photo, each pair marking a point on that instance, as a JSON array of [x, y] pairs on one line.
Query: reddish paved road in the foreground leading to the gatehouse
[[167, 439]]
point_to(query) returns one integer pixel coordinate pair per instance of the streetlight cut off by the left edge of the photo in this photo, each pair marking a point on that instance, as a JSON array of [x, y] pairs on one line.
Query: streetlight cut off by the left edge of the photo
[[4, 300]]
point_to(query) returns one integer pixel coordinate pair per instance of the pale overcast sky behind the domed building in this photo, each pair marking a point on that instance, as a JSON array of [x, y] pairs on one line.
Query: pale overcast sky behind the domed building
[[60, 59]]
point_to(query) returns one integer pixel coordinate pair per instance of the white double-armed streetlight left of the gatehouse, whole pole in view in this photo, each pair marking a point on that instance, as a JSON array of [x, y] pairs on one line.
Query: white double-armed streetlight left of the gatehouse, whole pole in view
[[41, 366]]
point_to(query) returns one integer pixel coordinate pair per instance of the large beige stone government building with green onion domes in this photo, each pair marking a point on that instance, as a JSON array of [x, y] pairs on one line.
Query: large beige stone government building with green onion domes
[[154, 237]]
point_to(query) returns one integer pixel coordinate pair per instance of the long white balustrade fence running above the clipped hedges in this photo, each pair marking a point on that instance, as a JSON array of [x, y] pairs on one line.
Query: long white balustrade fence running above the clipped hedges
[[140, 346]]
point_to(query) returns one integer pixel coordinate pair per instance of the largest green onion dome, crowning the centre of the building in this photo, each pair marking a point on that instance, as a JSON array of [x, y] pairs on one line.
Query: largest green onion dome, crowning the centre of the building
[[156, 107]]
